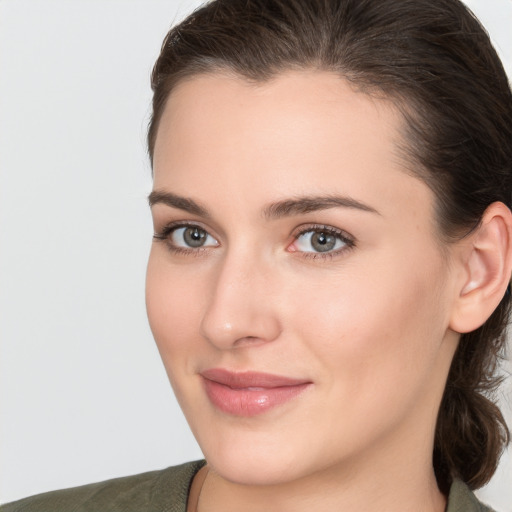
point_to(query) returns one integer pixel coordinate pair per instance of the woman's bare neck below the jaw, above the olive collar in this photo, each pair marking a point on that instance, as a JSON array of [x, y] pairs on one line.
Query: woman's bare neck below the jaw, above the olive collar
[[394, 476]]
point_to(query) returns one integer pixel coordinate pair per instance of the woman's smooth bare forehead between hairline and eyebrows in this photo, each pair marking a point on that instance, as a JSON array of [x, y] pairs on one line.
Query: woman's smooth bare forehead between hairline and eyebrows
[[307, 132]]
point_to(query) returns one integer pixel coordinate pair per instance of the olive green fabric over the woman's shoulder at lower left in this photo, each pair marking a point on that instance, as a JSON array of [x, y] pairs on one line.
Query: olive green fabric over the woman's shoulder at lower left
[[153, 491]]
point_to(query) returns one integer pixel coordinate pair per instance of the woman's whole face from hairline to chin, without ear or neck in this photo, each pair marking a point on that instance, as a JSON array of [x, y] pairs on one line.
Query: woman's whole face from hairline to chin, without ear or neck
[[297, 288]]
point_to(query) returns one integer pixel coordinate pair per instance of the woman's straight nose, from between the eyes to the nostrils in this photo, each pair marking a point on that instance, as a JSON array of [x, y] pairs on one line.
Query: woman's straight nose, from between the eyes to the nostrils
[[241, 309]]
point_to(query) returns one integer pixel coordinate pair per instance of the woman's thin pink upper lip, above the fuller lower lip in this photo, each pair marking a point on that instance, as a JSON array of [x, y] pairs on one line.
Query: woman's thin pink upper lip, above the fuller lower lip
[[248, 379]]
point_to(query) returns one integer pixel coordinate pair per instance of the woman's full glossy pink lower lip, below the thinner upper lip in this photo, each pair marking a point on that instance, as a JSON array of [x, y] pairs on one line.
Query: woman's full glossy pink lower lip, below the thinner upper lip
[[250, 401]]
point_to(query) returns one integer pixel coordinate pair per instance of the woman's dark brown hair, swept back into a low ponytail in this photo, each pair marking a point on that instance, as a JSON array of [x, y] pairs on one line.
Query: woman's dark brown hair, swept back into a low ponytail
[[434, 60]]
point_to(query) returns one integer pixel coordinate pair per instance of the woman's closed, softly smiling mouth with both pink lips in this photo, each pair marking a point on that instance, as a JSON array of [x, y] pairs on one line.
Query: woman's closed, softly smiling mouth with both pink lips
[[249, 393]]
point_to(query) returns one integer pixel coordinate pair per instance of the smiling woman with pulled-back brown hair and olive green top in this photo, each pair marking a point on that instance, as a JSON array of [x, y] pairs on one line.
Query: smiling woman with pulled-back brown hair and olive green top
[[329, 281]]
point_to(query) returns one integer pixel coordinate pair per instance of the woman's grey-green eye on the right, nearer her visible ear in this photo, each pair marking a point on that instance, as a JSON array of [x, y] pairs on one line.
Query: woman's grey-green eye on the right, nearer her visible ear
[[322, 239]]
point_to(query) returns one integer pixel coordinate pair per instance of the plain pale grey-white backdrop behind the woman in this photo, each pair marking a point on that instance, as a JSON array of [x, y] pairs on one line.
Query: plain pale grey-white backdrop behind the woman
[[83, 394]]
